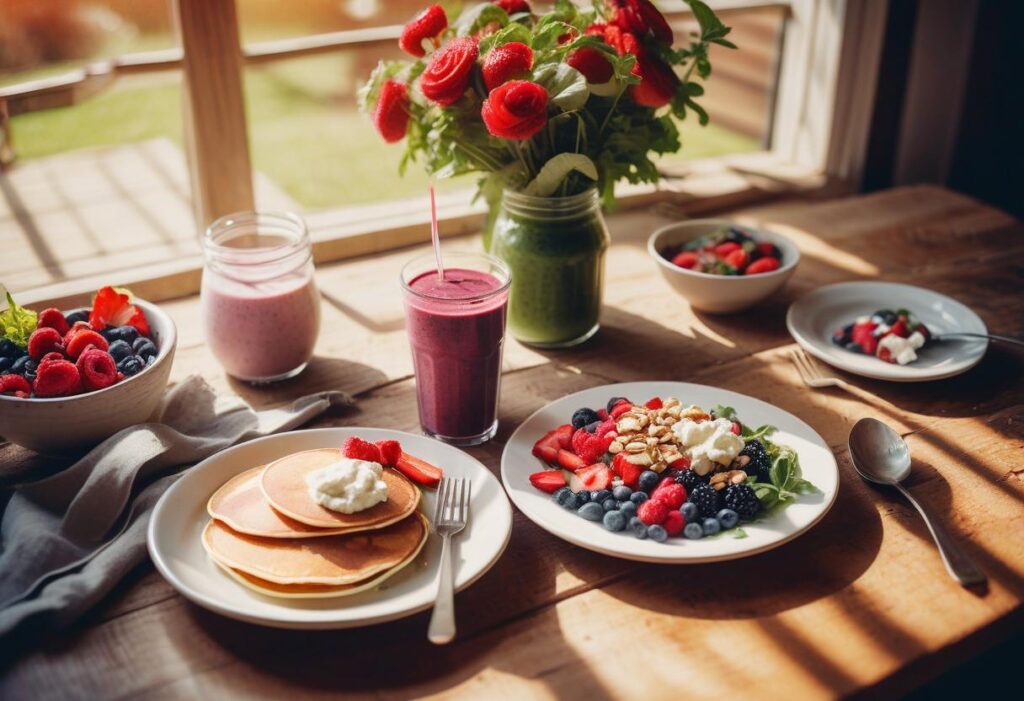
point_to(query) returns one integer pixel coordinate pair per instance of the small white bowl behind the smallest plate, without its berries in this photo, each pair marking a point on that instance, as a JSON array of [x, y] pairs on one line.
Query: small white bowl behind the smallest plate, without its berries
[[720, 294]]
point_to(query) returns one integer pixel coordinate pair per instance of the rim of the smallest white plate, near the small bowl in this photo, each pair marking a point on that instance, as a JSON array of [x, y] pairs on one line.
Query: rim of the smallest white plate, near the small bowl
[[959, 368]]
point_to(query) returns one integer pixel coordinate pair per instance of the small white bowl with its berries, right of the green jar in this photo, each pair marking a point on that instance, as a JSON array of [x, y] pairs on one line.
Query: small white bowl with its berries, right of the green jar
[[720, 267]]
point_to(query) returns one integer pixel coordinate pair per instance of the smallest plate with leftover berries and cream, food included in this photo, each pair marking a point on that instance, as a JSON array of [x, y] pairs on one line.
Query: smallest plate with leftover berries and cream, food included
[[886, 331]]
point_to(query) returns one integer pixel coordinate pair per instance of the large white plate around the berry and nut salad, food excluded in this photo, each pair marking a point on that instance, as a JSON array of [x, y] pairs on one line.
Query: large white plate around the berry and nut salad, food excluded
[[817, 461]]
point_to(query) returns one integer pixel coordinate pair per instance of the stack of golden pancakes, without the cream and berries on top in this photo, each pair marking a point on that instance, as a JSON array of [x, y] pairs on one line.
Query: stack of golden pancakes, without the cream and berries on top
[[270, 535]]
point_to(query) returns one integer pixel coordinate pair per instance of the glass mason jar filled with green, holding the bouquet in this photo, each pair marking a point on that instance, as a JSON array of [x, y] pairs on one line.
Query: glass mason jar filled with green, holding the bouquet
[[556, 250]]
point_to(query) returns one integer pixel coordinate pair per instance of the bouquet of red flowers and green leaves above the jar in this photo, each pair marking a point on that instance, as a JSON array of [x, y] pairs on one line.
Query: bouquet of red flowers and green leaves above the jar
[[551, 104]]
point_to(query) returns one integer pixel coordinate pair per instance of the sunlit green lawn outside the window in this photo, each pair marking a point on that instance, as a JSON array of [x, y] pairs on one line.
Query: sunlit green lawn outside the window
[[306, 134]]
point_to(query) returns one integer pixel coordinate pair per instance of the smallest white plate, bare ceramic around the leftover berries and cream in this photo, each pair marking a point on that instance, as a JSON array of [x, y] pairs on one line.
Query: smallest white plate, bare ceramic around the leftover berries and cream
[[813, 319]]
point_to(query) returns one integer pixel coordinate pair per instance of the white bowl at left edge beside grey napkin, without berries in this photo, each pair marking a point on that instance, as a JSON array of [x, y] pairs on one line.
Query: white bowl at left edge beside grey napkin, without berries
[[61, 425]]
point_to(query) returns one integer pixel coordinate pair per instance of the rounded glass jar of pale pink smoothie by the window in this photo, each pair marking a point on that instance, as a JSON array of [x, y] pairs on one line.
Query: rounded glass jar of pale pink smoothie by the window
[[260, 303]]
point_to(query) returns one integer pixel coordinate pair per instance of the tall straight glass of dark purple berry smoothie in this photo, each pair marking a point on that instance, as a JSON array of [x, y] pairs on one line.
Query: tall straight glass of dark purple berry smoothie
[[456, 327]]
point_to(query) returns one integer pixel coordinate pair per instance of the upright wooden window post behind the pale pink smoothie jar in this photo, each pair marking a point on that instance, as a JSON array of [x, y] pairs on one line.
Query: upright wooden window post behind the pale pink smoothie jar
[[215, 109]]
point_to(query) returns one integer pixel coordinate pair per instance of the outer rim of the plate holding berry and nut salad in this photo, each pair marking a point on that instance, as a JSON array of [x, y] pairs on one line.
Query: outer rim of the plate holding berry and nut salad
[[669, 559]]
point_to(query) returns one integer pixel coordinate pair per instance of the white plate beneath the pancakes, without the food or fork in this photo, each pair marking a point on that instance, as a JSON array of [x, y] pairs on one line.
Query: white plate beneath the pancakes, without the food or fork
[[181, 515]]
